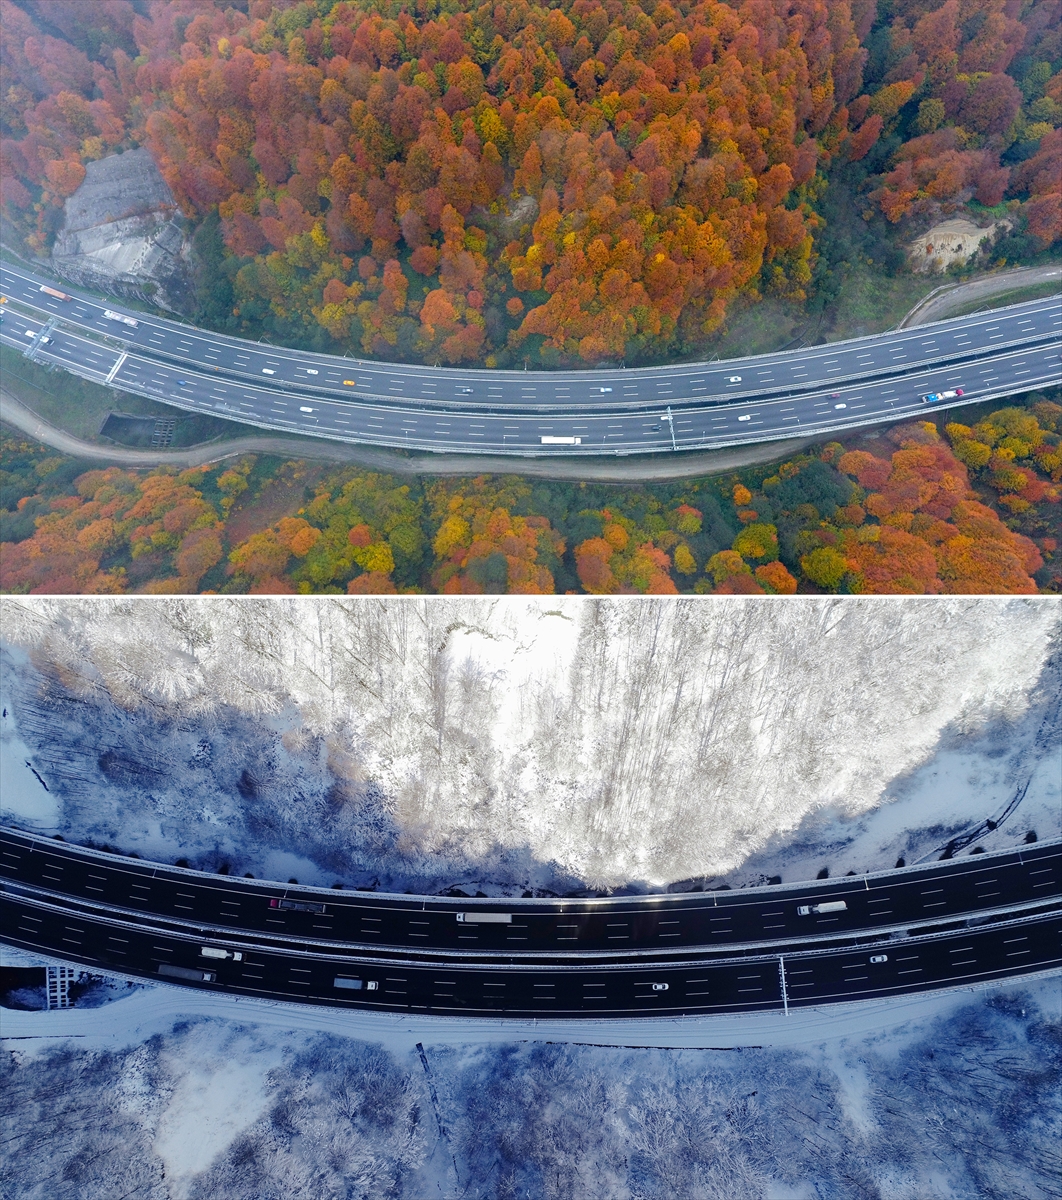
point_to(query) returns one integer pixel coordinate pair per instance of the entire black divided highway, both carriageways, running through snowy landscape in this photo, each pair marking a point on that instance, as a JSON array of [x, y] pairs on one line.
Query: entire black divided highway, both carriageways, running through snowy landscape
[[980, 919]]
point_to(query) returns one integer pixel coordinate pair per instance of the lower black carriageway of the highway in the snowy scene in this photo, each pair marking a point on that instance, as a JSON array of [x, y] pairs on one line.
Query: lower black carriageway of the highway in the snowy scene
[[769, 981]]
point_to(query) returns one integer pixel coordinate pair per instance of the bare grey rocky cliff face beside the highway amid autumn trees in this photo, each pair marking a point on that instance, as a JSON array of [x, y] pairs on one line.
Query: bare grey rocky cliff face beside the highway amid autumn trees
[[123, 235]]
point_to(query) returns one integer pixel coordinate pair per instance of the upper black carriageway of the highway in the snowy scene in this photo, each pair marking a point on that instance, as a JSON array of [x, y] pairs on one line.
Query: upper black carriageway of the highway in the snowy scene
[[529, 928]]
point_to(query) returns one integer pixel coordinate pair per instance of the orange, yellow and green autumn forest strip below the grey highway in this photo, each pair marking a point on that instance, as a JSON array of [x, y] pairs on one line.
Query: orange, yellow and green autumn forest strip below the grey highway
[[925, 509]]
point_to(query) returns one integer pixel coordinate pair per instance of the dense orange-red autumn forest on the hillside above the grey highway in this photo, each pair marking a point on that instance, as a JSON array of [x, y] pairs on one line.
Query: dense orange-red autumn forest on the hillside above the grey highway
[[503, 184]]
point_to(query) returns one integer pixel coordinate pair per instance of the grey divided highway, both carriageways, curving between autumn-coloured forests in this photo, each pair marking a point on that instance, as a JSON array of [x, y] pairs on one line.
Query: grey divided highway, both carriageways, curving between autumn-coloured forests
[[681, 407]]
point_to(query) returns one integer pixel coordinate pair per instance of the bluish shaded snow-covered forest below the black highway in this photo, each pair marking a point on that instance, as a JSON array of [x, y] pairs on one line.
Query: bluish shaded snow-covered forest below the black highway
[[959, 1105]]
